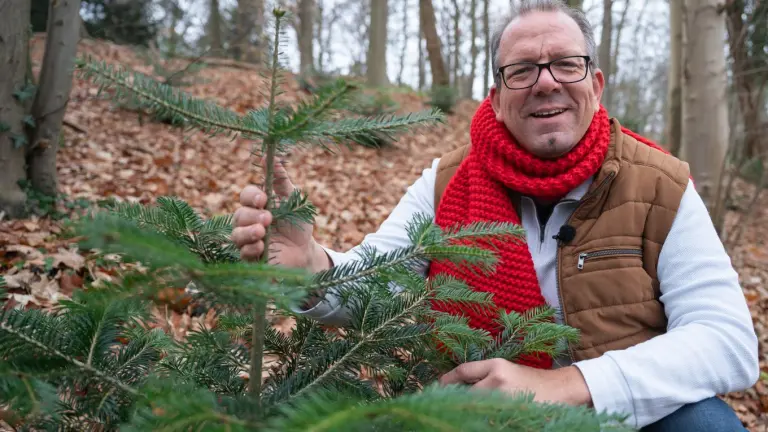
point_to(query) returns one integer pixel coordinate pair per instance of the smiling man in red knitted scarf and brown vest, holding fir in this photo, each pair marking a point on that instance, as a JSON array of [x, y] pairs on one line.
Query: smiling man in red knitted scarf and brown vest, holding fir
[[618, 240]]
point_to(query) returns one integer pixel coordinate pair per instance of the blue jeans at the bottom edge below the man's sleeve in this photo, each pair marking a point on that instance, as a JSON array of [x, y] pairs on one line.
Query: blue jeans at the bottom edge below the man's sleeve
[[709, 415]]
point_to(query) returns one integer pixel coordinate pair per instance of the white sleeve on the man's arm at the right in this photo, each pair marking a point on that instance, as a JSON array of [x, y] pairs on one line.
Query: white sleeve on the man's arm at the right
[[710, 347]]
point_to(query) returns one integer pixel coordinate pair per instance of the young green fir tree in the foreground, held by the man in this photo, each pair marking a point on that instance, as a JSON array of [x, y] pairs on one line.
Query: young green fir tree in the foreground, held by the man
[[95, 362]]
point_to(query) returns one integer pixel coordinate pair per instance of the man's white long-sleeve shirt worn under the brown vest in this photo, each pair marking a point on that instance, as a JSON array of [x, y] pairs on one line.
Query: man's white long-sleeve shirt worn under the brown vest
[[710, 347]]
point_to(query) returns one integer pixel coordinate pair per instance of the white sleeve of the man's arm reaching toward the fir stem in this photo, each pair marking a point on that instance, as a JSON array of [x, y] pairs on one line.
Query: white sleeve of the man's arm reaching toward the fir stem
[[391, 235]]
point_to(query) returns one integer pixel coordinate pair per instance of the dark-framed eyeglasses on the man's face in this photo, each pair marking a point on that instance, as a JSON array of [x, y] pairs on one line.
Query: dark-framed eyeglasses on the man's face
[[565, 70]]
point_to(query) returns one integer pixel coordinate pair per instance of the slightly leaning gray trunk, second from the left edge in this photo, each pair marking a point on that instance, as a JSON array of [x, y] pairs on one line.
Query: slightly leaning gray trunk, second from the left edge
[[53, 89]]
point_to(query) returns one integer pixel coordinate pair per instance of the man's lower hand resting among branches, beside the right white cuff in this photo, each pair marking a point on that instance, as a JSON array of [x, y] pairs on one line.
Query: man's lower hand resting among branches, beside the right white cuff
[[565, 385]]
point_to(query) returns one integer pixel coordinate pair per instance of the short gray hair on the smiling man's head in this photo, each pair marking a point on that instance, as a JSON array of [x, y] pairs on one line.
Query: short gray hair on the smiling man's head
[[528, 6]]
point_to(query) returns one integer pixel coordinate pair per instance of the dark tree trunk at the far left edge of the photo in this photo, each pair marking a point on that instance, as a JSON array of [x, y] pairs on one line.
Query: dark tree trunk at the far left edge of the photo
[[14, 22]]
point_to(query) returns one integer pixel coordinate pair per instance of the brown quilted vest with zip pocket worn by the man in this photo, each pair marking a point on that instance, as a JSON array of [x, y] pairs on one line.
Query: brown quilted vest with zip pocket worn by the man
[[607, 274]]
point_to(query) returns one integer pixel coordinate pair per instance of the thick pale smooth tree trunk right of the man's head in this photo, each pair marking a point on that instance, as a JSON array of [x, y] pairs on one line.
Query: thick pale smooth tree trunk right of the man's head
[[705, 111]]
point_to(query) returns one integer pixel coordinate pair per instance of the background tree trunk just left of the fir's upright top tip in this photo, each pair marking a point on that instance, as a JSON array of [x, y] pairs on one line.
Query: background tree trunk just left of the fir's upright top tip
[[248, 44]]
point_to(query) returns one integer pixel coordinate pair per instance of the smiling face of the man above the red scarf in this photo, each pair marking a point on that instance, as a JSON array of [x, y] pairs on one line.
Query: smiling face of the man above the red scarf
[[541, 37]]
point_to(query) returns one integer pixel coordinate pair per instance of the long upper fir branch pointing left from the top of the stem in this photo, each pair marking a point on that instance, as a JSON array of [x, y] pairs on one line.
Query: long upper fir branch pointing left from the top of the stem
[[164, 100]]
